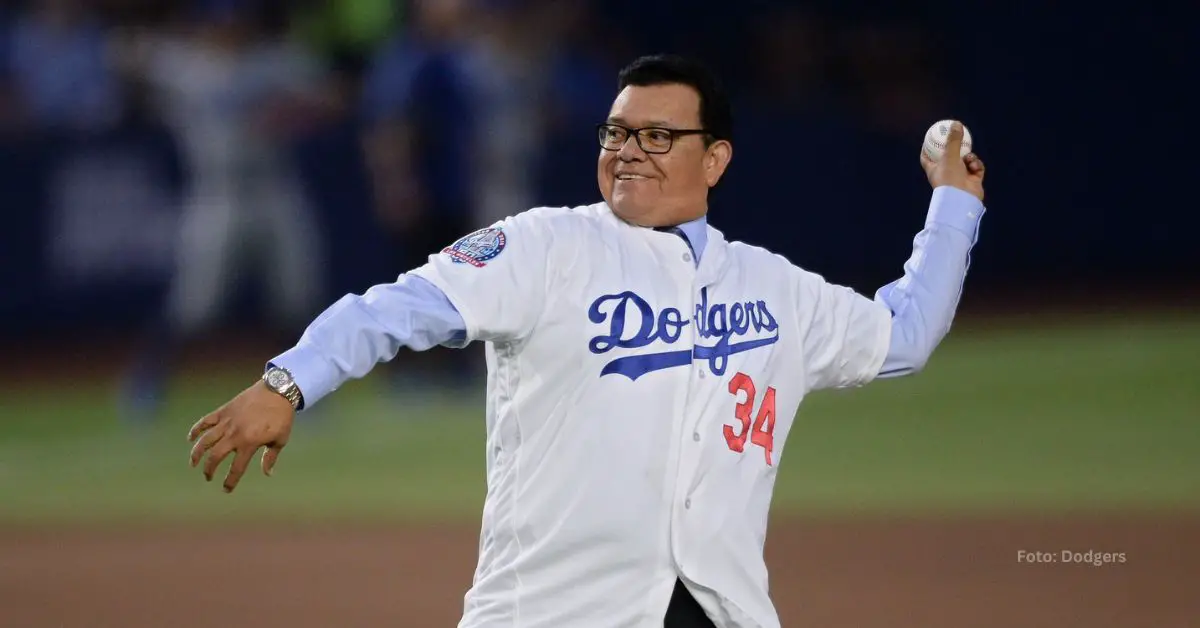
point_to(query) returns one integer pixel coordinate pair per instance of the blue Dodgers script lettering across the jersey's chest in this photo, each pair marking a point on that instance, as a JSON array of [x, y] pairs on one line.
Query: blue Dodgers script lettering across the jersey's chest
[[634, 324]]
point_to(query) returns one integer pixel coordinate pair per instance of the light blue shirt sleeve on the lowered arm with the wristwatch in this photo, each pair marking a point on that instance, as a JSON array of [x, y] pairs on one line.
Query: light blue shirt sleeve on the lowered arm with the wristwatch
[[358, 332]]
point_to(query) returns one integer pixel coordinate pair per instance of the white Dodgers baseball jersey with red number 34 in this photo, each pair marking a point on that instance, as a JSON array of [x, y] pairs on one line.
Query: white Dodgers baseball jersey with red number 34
[[638, 412]]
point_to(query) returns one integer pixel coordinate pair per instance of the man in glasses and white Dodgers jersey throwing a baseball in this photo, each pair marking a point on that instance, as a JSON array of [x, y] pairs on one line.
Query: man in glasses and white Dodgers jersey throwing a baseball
[[643, 372]]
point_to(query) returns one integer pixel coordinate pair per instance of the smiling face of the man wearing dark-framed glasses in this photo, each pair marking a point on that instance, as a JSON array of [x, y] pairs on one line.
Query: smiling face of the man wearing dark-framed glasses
[[655, 190]]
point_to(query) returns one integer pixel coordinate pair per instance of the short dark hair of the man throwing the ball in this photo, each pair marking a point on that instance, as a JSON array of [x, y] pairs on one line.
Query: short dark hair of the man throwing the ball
[[716, 115]]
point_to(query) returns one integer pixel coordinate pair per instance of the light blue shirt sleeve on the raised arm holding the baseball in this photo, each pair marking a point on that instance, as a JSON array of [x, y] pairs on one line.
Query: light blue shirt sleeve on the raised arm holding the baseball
[[923, 302]]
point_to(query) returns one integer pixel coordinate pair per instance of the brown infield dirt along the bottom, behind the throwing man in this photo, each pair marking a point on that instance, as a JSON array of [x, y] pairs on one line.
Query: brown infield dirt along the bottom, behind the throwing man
[[825, 573]]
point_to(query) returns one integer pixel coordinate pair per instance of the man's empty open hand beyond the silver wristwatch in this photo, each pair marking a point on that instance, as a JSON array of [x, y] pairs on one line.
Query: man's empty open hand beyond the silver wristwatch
[[259, 417]]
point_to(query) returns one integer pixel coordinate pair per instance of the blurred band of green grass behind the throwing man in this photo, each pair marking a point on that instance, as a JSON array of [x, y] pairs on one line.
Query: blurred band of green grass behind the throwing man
[[1089, 416]]
